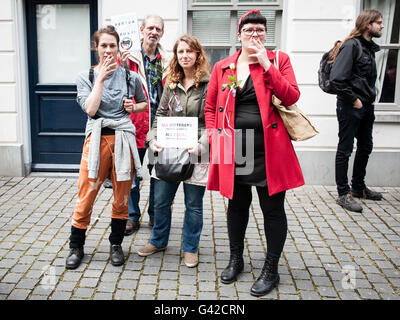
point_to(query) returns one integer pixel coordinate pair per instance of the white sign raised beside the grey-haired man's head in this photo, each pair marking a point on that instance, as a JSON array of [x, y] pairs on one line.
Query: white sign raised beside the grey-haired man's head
[[127, 27]]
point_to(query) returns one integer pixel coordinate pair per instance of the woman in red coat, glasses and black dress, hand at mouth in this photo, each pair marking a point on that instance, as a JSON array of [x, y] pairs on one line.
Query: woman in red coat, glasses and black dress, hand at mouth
[[239, 97]]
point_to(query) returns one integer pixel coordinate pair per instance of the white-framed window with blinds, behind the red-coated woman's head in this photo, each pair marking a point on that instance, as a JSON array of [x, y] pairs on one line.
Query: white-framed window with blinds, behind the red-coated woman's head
[[214, 23]]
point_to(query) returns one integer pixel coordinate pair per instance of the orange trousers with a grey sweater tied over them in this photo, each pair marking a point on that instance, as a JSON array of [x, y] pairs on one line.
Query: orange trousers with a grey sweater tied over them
[[89, 188]]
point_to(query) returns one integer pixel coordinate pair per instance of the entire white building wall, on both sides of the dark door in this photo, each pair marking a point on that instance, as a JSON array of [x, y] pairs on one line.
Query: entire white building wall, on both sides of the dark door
[[309, 28]]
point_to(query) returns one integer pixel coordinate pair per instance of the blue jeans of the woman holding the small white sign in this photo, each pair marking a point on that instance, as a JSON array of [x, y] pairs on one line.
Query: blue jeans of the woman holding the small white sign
[[193, 222]]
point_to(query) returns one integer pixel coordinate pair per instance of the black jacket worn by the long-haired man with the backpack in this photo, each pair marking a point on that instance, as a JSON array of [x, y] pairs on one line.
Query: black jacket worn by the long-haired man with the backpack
[[355, 78]]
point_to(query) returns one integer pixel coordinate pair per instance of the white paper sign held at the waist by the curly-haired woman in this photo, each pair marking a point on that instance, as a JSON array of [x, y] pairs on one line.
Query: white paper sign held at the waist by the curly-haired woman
[[177, 132]]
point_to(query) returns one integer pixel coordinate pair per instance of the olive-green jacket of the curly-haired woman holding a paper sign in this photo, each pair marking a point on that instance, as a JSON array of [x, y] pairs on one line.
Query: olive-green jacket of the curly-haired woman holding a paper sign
[[190, 102]]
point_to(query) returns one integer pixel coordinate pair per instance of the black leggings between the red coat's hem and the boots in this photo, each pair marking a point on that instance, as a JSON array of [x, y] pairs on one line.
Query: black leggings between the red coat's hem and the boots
[[275, 223]]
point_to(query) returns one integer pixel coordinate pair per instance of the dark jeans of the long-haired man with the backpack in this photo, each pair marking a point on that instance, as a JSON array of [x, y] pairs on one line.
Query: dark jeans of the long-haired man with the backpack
[[353, 123]]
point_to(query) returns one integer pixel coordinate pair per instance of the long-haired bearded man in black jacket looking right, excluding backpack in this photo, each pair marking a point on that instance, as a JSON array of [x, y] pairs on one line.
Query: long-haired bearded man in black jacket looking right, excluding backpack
[[352, 78]]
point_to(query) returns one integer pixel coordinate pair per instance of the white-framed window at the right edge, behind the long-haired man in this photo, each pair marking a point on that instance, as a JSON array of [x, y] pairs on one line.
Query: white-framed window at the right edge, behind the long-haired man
[[388, 58]]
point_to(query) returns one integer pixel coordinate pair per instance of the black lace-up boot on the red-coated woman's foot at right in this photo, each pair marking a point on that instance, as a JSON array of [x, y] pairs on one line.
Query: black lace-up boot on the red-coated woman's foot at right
[[268, 279]]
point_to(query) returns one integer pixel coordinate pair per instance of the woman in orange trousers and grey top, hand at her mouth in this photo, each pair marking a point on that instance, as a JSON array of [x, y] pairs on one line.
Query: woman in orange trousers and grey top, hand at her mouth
[[110, 146]]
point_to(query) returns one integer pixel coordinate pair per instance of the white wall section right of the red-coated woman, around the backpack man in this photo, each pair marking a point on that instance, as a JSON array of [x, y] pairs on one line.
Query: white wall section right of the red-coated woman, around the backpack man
[[312, 26]]
